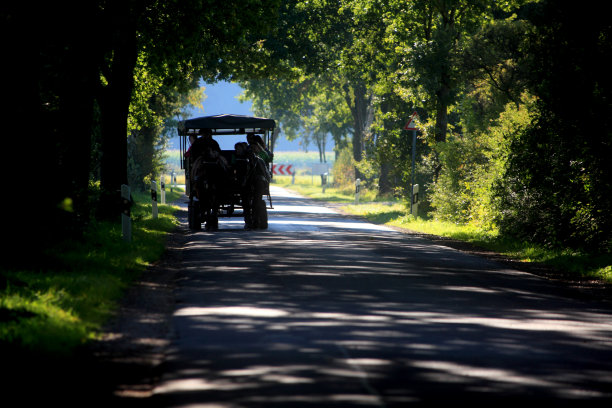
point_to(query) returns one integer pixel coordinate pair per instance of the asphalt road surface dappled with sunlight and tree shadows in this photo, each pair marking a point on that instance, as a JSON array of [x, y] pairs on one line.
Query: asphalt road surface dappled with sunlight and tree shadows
[[321, 310]]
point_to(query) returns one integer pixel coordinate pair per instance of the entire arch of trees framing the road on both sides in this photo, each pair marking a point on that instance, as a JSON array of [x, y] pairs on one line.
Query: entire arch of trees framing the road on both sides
[[513, 100]]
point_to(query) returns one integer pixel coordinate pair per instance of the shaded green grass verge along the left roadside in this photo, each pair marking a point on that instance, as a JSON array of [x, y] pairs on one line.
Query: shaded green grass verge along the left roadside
[[64, 304]]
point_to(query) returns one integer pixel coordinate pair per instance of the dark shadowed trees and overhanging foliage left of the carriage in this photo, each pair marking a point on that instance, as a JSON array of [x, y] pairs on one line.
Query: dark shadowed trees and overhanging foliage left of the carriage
[[72, 71]]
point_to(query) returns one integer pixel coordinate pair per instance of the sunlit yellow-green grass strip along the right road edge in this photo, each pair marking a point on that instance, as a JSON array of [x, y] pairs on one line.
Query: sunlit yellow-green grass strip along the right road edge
[[569, 263]]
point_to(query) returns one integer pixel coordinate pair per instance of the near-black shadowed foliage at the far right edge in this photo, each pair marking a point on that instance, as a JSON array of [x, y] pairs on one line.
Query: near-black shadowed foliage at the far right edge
[[557, 189]]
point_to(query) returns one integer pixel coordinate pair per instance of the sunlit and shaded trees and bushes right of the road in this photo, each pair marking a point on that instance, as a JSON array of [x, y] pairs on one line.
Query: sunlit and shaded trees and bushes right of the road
[[513, 101]]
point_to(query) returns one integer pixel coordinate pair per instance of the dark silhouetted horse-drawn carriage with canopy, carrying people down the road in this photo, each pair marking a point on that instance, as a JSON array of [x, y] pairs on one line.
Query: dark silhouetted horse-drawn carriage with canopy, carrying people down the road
[[220, 181]]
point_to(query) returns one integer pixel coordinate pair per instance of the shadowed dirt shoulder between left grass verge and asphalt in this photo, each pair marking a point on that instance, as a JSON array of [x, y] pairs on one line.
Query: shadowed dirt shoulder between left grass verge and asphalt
[[131, 351]]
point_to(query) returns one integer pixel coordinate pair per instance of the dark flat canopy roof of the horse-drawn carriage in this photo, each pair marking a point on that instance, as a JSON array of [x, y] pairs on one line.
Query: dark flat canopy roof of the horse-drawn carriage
[[231, 124]]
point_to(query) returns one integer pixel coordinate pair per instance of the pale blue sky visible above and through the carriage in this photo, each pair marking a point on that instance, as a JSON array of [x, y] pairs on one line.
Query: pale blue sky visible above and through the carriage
[[222, 98]]
